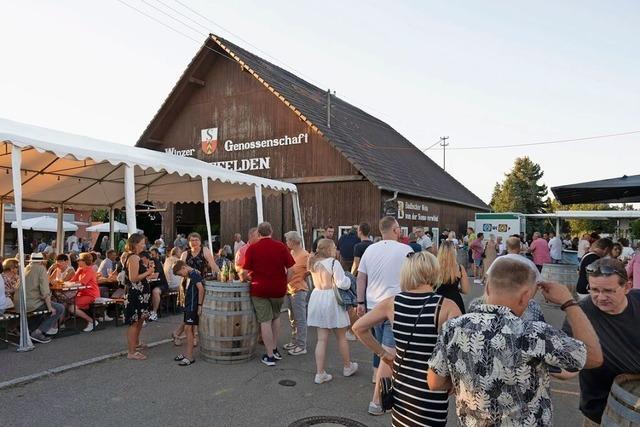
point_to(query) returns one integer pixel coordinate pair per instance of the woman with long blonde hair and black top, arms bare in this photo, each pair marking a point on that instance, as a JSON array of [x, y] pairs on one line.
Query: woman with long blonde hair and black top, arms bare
[[452, 279]]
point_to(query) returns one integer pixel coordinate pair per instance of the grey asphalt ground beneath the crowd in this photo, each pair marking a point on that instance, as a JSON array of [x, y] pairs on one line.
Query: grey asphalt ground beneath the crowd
[[119, 392]]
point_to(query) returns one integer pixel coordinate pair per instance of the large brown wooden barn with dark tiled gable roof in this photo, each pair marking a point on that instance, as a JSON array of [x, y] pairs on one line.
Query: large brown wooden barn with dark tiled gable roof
[[235, 109]]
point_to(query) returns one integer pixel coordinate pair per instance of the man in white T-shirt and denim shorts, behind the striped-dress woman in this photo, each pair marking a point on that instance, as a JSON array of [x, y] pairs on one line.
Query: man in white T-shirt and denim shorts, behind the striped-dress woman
[[379, 279]]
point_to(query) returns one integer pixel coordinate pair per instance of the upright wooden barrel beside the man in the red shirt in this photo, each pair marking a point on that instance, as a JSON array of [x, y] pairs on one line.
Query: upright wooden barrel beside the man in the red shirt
[[228, 328]]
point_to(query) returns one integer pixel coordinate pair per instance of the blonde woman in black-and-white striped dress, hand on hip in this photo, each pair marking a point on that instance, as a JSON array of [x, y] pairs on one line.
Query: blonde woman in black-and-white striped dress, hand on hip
[[417, 313]]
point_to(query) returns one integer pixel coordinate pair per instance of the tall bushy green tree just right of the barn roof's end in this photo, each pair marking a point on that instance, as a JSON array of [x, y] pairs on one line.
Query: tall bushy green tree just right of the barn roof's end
[[520, 191]]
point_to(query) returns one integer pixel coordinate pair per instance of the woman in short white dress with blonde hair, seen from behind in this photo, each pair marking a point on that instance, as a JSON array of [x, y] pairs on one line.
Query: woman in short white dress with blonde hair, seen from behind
[[324, 311]]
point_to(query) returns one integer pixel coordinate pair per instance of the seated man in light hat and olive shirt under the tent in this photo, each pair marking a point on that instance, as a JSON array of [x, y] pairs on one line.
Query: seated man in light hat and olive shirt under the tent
[[38, 294]]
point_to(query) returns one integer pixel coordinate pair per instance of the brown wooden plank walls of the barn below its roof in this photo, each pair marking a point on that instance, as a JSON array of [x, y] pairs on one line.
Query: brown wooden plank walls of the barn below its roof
[[216, 93]]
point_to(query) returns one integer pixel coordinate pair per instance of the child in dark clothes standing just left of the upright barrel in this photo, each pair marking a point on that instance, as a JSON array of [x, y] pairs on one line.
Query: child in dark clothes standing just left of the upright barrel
[[192, 284]]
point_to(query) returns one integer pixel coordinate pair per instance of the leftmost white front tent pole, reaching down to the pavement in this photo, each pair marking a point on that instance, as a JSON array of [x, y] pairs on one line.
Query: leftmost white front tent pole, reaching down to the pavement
[[16, 163]]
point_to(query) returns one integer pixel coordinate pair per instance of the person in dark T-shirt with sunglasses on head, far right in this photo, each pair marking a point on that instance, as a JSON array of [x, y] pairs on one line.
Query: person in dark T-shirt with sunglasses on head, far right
[[614, 311]]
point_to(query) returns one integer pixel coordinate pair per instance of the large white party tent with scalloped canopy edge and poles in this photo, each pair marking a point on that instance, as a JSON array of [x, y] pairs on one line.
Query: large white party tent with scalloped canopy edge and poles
[[45, 167]]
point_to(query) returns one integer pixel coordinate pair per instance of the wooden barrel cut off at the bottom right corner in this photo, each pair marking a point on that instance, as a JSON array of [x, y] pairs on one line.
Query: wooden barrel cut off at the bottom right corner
[[623, 406]]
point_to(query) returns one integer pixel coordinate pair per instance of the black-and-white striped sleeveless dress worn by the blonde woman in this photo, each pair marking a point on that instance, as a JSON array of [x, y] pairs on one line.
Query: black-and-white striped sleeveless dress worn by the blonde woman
[[414, 404]]
